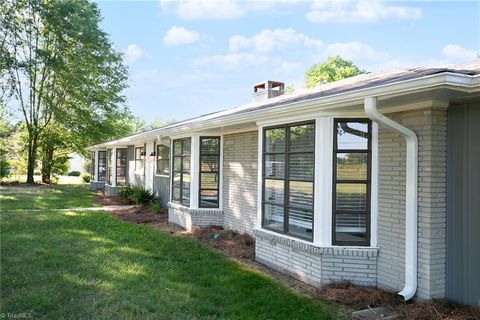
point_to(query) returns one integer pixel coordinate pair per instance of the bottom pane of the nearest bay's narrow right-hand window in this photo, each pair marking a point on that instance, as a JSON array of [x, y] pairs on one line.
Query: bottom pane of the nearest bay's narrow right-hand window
[[351, 227]]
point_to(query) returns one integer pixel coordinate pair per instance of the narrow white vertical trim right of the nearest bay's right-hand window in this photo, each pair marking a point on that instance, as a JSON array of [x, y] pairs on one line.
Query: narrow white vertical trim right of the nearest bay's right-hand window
[[374, 187]]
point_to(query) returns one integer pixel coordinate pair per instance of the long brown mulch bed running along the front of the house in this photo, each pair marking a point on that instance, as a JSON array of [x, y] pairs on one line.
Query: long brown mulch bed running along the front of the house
[[348, 296]]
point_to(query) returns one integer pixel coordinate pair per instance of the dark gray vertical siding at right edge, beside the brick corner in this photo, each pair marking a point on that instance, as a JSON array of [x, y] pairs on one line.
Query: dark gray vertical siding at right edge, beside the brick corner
[[463, 213]]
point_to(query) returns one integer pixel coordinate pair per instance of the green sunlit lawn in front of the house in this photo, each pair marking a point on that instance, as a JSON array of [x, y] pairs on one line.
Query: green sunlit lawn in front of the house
[[90, 265]]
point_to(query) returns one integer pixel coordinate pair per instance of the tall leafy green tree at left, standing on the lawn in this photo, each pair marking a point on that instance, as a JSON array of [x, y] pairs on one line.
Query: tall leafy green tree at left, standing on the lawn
[[62, 71]]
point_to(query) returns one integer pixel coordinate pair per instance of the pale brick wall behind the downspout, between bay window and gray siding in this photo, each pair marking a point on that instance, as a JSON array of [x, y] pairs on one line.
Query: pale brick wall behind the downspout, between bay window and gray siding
[[430, 127]]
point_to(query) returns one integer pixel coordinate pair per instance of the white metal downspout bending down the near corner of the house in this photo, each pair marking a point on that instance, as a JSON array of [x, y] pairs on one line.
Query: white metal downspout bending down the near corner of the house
[[370, 105]]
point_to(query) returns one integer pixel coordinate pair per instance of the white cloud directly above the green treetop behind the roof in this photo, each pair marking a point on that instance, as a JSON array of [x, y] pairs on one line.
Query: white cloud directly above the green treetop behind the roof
[[353, 51]]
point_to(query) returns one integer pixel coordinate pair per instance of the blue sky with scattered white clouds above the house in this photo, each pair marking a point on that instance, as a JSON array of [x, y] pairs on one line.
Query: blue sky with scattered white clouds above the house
[[194, 57]]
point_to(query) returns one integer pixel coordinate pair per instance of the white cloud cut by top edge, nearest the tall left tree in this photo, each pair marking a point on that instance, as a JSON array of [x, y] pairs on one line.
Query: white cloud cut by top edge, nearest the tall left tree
[[204, 9]]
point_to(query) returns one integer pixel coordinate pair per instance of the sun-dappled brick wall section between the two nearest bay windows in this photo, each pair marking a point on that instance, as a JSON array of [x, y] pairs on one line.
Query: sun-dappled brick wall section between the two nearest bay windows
[[240, 154]]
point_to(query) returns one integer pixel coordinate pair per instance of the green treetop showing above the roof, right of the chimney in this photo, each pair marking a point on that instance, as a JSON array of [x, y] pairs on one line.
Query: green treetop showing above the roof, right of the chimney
[[335, 68]]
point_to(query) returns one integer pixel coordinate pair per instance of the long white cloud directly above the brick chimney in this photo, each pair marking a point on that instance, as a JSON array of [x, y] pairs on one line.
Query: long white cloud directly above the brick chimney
[[273, 40]]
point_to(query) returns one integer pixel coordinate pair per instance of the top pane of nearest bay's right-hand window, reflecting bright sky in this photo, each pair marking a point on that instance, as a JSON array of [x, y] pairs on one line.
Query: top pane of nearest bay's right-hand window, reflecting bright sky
[[352, 135]]
